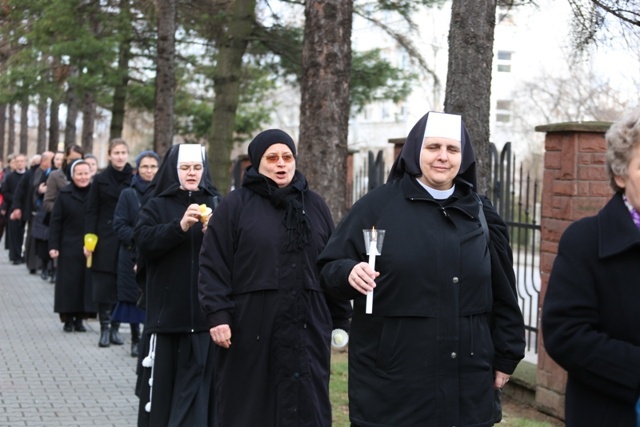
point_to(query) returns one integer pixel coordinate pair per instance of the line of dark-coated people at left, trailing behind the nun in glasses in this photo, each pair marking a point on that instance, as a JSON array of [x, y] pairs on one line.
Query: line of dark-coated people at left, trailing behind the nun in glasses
[[51, 207]]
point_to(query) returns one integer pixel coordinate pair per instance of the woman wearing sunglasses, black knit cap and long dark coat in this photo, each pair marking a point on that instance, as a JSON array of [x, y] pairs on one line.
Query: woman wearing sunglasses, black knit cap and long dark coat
[[260, 292]]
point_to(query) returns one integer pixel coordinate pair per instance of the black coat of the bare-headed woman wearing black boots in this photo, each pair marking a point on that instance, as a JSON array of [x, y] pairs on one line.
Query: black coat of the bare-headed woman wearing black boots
[[103, 198]]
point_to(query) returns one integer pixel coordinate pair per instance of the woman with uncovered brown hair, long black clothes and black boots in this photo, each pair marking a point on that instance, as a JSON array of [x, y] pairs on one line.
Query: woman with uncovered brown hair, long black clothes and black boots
[[103, 197]]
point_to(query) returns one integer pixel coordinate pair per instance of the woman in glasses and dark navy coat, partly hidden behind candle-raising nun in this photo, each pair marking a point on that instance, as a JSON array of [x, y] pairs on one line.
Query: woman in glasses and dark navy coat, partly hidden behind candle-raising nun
[[125, 218]]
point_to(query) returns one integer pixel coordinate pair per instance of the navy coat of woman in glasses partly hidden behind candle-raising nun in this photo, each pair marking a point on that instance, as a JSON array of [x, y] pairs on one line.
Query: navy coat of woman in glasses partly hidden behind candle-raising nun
[[125, 218]]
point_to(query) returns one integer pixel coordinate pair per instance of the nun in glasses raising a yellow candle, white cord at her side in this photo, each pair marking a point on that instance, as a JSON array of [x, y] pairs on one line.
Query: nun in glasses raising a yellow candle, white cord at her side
[[175, 381]]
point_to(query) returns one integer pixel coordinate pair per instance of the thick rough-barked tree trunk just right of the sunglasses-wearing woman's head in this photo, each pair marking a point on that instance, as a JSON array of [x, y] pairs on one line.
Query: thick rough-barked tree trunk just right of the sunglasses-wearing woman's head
[[324, 109]]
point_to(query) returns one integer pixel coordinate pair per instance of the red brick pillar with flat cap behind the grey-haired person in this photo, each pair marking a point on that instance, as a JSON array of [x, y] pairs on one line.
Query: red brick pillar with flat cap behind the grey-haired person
[[575, 185]]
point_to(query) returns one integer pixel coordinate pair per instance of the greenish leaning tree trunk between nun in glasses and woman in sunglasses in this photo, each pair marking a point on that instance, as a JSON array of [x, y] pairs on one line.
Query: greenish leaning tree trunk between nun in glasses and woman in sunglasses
[[226, 83]]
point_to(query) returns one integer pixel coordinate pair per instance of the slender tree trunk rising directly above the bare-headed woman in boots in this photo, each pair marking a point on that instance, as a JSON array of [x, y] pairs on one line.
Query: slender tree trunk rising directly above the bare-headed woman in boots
[[120, 90]]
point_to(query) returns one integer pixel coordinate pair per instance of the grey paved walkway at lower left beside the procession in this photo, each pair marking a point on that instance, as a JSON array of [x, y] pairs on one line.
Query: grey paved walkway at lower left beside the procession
[[50, 378]]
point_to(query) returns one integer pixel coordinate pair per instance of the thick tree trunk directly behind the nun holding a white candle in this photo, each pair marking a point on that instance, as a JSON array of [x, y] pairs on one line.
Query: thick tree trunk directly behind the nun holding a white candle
[[468, 90]]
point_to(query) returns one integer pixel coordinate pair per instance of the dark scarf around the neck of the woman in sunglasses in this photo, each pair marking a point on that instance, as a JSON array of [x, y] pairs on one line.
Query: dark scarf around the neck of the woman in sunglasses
[[289, 198]]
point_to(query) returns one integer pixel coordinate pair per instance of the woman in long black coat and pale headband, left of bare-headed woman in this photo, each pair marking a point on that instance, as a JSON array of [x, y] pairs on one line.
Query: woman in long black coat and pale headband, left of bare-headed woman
[[72, 296]]
